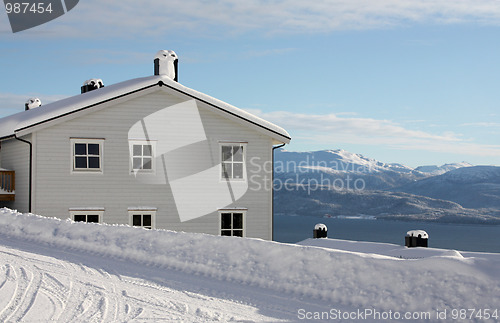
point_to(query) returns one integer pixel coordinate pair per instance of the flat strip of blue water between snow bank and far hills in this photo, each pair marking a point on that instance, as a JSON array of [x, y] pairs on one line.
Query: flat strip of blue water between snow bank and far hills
[[466, 237]]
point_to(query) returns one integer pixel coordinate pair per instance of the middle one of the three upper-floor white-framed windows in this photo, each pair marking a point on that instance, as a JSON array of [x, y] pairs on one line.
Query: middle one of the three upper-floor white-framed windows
[[142, 156]]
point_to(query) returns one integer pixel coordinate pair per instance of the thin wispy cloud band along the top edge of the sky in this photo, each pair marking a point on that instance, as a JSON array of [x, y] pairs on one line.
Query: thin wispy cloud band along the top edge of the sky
[[126, 17]]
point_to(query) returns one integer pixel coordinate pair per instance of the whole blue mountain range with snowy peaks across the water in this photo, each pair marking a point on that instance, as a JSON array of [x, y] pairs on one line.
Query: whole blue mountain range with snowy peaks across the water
[[337, 182]]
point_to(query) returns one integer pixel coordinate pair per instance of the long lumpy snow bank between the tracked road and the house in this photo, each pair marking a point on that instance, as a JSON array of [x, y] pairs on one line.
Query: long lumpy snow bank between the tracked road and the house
[[351, 279]]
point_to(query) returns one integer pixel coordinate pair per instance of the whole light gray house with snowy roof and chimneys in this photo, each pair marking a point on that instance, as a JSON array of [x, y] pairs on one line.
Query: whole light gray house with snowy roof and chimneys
[[146, 152]]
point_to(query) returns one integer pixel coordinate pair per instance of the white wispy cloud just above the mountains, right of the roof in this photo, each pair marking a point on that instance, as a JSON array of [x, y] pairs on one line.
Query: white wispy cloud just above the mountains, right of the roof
[[334, 130]]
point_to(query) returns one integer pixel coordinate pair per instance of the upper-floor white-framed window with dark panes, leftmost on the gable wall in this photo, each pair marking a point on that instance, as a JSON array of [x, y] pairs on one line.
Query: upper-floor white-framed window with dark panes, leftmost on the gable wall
[[87, 154]]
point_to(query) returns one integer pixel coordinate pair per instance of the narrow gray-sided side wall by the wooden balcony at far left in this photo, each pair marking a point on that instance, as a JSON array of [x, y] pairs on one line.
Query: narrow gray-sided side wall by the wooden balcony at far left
[[15, 156]]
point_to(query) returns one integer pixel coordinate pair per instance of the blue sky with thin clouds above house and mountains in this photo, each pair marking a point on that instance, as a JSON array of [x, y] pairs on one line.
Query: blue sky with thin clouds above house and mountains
[[413, 82]]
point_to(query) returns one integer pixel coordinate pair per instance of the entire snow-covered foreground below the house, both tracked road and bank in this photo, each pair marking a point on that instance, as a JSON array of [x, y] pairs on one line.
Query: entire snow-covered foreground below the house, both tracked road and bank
[[57, 270]]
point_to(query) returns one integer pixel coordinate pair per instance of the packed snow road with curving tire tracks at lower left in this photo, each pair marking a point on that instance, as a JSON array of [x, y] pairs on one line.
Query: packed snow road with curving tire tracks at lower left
[[40, 284]]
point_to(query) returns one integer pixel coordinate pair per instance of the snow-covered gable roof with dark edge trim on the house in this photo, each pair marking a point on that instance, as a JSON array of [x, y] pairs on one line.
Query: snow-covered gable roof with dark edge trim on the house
[[27, 121]]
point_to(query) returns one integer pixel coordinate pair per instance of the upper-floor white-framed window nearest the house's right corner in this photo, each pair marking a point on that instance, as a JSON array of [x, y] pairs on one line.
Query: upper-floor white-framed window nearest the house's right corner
[[233, 165]]
